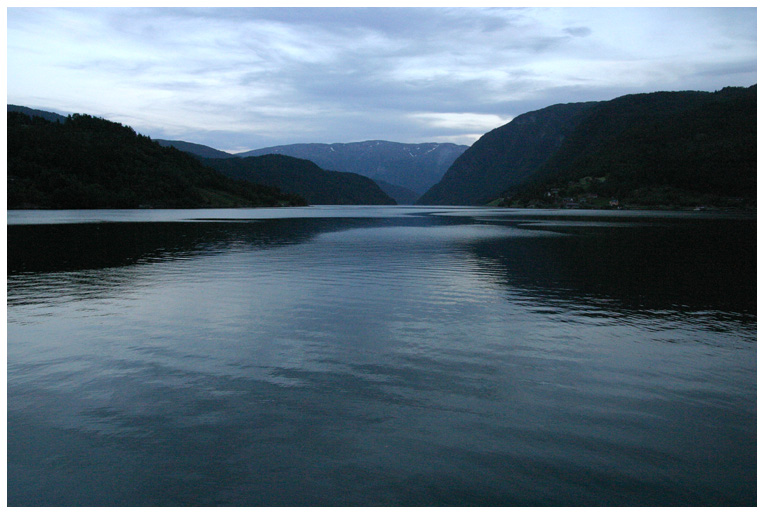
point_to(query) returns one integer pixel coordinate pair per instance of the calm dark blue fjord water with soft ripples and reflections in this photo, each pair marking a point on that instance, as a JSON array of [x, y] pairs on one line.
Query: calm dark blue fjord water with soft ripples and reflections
[[381, 356]]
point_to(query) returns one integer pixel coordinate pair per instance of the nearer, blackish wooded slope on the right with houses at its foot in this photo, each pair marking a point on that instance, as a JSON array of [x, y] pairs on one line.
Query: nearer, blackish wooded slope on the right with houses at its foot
[[678, 149]]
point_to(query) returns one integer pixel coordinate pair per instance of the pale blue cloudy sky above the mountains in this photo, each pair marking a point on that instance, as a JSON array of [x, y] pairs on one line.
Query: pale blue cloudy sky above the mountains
[[238, 79]]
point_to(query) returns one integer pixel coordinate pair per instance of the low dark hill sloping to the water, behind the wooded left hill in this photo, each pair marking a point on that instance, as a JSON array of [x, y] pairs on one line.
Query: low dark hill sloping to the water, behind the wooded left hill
[[304, 178]]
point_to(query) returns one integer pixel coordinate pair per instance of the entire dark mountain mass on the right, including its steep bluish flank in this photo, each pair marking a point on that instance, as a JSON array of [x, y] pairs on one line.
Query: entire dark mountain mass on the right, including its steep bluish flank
[[672, 149]]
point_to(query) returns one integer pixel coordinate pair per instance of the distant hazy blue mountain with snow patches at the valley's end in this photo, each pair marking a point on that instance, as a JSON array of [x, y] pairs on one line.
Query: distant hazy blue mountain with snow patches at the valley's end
[[412, 166]]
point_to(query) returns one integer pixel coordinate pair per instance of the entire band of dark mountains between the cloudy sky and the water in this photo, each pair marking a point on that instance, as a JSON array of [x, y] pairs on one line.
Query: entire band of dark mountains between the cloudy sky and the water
[[671, 150]]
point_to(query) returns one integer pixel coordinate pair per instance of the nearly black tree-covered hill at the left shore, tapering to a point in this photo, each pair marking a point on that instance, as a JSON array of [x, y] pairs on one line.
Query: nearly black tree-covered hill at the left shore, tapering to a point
[[84, 162]]
